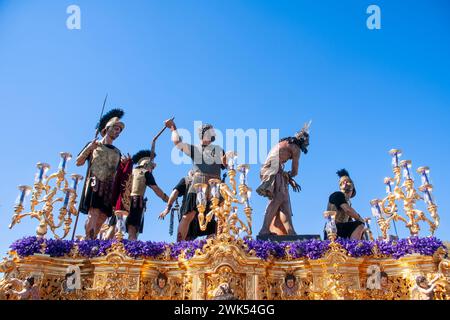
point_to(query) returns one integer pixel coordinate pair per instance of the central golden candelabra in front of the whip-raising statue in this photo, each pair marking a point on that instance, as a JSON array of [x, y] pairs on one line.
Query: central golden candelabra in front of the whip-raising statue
[[224, 201]]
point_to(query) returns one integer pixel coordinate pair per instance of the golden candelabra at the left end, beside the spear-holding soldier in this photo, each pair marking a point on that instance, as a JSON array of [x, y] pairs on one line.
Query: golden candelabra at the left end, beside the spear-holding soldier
[[44, 195]]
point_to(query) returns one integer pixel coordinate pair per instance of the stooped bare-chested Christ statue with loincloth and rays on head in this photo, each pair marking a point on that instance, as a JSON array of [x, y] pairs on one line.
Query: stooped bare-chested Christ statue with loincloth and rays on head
[[275, 183]]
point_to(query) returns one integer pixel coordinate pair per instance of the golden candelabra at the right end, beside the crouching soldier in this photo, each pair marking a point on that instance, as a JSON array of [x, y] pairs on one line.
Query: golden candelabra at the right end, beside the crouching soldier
[[387, 210]]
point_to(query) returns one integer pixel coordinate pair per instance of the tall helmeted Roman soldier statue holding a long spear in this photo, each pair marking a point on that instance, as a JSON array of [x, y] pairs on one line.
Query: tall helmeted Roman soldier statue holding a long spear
[[104, 159]]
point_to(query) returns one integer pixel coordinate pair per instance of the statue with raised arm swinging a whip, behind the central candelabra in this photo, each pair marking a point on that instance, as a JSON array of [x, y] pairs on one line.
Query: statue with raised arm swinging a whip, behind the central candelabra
[[208, 161]]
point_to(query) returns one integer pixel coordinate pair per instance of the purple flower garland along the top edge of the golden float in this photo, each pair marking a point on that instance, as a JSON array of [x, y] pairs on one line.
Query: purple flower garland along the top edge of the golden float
[[265, 250]]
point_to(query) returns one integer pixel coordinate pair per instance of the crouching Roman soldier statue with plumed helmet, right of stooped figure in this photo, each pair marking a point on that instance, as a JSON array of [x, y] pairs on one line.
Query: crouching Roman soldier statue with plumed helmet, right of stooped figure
[[349, 223]]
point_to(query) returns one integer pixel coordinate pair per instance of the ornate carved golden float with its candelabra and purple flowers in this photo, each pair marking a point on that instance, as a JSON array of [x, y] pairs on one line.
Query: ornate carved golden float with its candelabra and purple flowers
[[231, 260]]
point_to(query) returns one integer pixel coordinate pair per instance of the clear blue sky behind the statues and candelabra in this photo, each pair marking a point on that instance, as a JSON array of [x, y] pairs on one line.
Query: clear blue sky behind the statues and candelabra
[[236, 64]]
